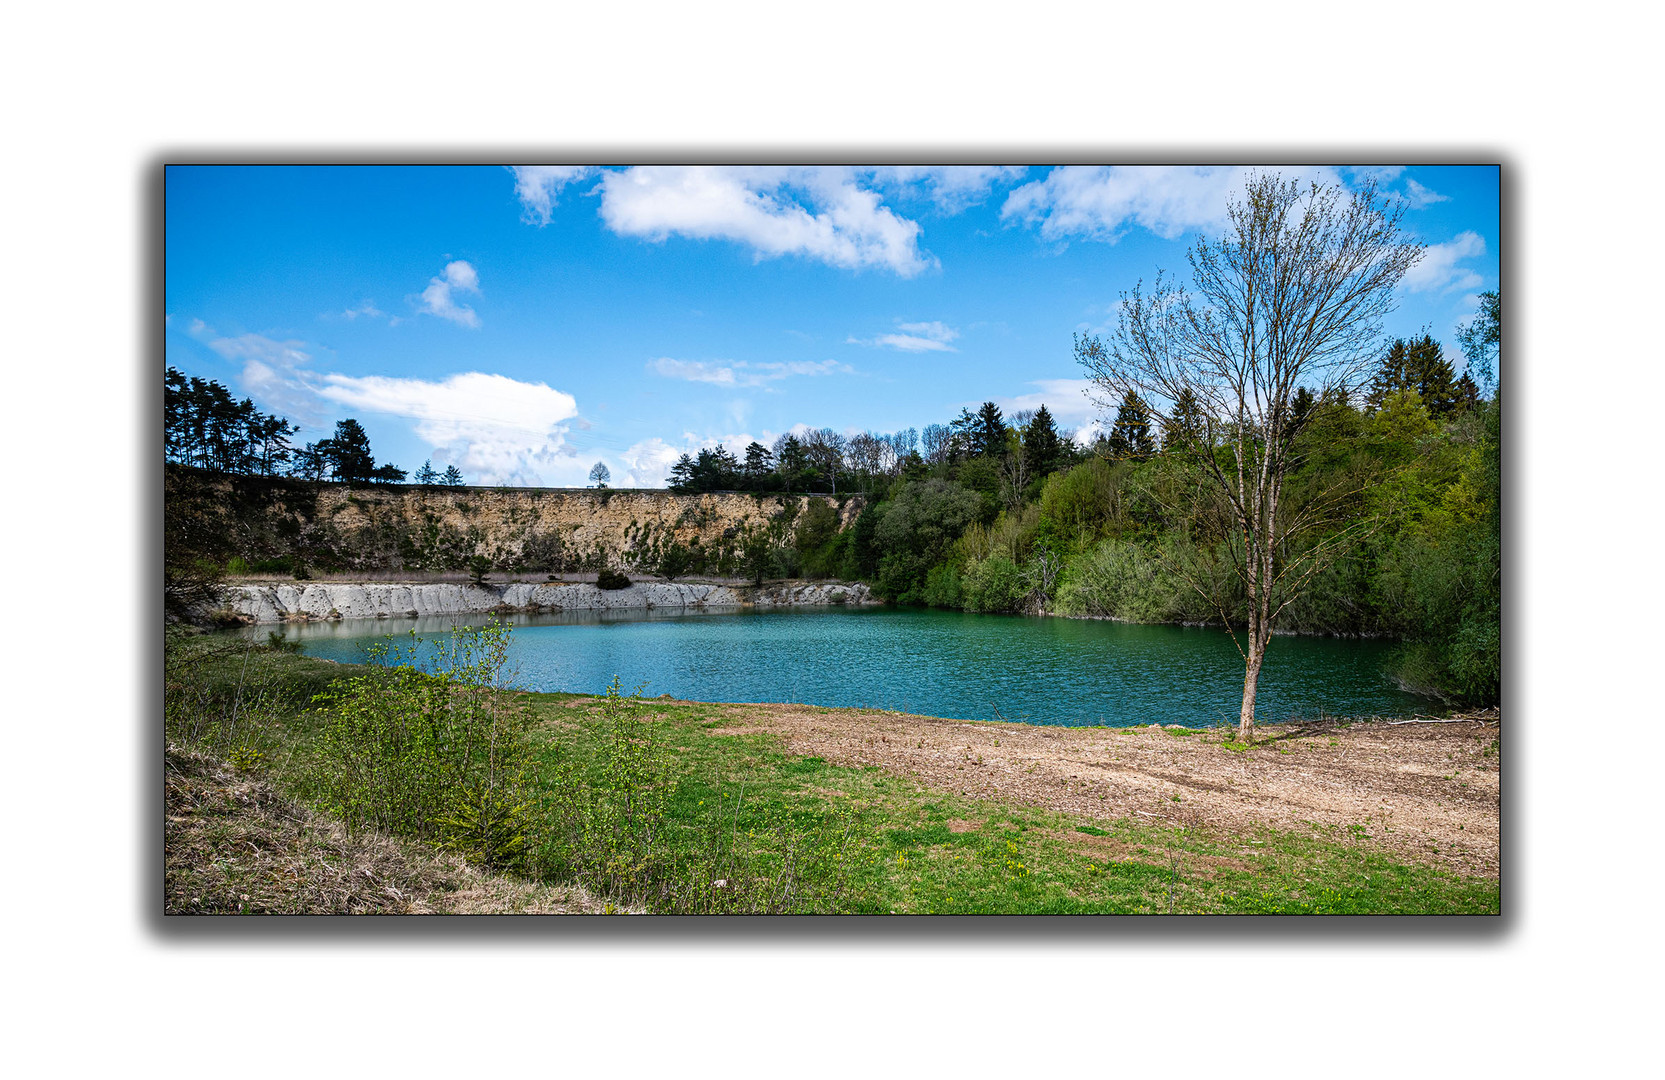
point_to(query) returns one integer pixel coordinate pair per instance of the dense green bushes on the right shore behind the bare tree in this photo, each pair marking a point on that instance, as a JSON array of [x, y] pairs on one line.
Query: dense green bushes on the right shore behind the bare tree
[[1408, 525]]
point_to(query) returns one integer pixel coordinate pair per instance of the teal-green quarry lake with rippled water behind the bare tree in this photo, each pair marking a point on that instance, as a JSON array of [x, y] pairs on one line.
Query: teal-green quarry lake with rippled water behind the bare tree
[[932, 663]]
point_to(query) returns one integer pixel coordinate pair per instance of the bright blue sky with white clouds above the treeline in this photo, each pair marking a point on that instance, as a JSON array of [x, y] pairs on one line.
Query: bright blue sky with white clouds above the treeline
[[525, 324]]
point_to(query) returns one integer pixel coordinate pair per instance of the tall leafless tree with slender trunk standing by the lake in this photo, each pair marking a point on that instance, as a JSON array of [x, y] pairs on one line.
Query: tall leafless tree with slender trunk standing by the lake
[[1293, 295]]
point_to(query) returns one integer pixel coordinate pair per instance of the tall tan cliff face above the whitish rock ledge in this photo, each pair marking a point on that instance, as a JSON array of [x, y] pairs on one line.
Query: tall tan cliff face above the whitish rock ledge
[[405, 528]]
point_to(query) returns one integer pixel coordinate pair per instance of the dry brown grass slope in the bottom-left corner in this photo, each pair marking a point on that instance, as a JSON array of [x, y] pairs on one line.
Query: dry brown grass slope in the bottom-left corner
[[232, 845]]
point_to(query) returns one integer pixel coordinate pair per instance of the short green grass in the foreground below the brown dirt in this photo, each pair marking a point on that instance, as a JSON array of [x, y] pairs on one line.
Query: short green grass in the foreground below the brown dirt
[[913, 851]]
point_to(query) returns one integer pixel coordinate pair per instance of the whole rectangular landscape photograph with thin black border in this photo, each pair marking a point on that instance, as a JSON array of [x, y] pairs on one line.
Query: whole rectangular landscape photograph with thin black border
[[833, 538]]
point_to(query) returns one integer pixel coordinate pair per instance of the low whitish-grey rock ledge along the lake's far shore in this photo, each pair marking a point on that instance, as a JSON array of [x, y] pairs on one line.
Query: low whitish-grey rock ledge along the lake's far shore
[[309, 602]]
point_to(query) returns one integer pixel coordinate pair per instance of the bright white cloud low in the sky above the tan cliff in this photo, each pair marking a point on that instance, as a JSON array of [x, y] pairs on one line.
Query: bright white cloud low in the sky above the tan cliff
[[492, 427]]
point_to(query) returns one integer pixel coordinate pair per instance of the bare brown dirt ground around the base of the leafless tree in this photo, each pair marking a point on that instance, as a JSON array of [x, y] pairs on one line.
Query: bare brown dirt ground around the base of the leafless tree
[[1424, 793]]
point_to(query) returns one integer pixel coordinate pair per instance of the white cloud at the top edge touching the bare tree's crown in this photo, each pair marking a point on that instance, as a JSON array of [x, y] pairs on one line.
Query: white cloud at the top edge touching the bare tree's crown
[[1103, 202]]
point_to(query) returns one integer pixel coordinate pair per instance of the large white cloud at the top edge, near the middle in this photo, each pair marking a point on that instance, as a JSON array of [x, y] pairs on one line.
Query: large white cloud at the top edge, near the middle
[[818, 214]]
